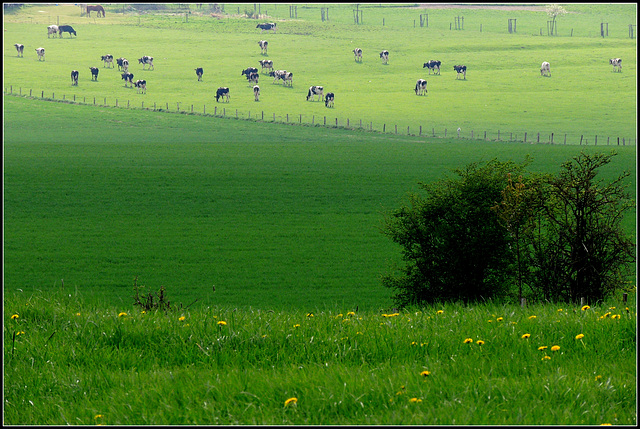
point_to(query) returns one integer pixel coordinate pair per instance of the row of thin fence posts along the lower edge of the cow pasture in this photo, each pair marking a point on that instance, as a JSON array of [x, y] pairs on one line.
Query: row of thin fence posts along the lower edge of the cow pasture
[[525, 137]]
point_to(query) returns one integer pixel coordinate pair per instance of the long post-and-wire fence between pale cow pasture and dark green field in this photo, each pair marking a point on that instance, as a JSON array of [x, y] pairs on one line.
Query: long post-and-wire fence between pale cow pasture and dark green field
[[224, 111]]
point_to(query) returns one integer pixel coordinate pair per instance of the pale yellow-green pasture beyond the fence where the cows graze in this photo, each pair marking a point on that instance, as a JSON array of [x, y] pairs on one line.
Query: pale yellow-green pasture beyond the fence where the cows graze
[[503, 92]]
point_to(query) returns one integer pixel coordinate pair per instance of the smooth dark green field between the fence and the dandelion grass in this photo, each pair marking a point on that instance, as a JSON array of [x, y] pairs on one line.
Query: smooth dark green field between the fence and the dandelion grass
[[273, 215]]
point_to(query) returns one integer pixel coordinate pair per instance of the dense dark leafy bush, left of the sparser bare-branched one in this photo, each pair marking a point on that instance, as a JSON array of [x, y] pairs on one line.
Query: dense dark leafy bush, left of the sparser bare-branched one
[[454, 246]]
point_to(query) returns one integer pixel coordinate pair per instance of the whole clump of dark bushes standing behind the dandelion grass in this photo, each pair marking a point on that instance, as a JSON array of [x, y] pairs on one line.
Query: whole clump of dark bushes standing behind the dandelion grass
[[496, 232]]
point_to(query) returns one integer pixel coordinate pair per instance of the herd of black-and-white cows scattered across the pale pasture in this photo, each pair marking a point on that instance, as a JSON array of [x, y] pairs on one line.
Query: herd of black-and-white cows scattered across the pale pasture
[[252, 74]]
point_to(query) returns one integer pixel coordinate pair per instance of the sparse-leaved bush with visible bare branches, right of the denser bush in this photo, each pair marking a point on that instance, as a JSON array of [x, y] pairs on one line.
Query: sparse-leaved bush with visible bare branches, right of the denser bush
[[579, 248]]
